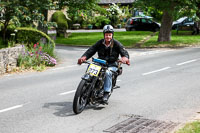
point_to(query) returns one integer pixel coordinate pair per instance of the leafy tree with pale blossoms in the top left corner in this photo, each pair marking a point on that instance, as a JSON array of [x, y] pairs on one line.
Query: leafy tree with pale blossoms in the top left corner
[[23, 12]]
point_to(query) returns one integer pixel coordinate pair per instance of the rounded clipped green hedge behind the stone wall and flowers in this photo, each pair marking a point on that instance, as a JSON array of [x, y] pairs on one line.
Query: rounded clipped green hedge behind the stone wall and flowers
[[29, 36]]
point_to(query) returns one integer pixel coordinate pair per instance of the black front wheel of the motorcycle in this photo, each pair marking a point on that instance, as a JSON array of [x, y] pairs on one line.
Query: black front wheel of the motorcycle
[[80, 98]]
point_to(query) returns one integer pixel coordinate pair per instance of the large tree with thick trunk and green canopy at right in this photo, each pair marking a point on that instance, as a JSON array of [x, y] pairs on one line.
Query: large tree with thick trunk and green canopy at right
[[169, 10]]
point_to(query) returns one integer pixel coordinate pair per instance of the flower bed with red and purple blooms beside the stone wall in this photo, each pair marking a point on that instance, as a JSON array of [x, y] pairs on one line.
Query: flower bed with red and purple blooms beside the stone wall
[[36, 57]]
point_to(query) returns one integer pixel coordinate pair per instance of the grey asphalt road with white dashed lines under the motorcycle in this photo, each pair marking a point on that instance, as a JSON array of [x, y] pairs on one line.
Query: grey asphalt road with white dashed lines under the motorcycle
[[160, 84]]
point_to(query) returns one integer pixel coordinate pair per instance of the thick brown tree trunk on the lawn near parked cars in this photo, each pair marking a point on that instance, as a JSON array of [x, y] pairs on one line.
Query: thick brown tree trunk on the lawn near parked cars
[[166, 25]]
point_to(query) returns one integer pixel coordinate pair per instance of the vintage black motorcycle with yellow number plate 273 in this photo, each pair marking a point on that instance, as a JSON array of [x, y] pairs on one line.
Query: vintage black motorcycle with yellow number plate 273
[[90, 90]]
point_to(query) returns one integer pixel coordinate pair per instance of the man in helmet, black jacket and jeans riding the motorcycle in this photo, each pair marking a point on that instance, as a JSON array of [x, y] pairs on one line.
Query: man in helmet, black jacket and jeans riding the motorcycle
[[108, 49]]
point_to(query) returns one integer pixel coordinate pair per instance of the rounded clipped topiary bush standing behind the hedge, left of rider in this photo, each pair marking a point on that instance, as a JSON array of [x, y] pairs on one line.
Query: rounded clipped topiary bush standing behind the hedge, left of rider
[[61, 20]]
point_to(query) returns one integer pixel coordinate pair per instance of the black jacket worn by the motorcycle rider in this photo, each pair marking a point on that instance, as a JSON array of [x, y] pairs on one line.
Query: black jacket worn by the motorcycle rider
[[110, 54]]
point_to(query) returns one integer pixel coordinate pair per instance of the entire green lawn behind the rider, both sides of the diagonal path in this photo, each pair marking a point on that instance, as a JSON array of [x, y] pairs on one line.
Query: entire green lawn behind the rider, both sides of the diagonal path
[[131, 39]]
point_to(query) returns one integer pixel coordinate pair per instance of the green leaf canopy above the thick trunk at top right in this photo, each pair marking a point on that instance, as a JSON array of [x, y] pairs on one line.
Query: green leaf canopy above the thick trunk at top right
[[179, 8]]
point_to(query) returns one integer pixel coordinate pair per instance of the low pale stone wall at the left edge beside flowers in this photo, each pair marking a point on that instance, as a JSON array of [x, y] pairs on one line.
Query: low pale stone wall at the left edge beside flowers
[[8, 58]]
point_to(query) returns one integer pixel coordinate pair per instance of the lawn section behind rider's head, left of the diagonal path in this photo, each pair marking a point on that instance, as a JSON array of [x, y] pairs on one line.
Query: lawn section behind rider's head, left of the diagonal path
[[126, 38]]
